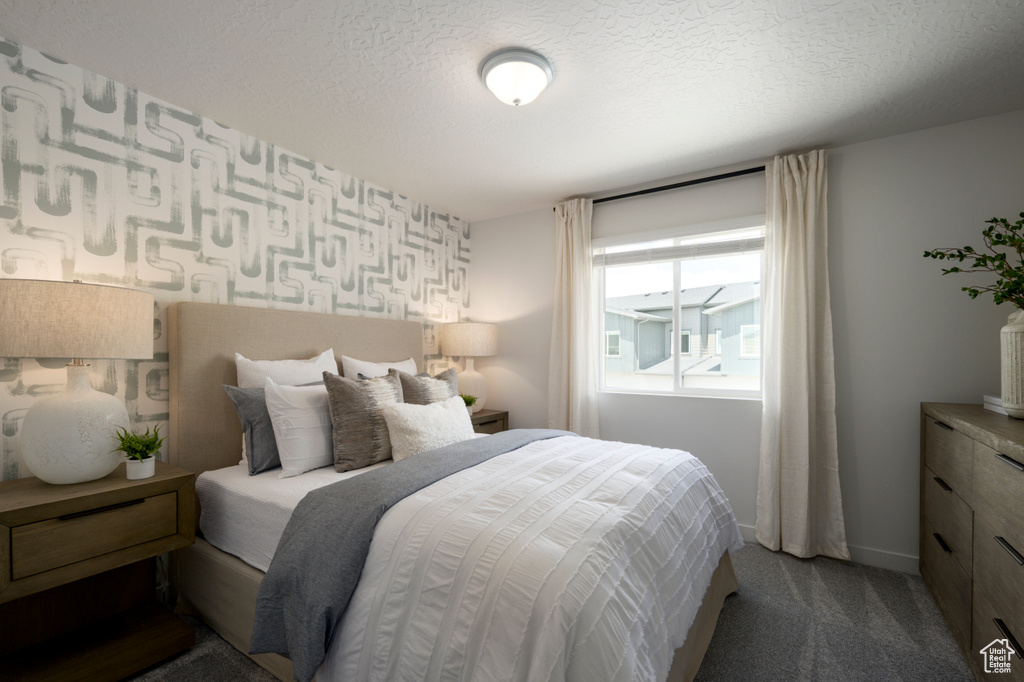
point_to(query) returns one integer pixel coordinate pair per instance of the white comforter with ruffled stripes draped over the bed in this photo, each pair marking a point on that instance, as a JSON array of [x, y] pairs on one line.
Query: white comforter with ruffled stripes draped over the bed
[[567, 560]]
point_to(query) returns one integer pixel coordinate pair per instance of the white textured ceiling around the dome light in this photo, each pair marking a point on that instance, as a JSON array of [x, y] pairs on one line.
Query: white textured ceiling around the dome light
[[389, 91]]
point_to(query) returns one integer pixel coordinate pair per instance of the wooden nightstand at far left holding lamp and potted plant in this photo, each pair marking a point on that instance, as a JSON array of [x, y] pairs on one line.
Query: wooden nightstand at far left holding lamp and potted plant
[[78, 575]]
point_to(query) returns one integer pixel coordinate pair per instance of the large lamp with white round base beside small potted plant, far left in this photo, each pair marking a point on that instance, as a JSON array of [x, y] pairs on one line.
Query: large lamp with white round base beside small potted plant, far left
[[70, 438]]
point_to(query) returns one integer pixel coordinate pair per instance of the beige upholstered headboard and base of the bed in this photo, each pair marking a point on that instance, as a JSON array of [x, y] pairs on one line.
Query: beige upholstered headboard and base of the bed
[[205, 436]]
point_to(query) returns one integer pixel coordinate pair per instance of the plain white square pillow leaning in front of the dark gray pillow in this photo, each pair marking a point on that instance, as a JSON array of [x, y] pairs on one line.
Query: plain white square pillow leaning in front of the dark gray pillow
[[302, 427]]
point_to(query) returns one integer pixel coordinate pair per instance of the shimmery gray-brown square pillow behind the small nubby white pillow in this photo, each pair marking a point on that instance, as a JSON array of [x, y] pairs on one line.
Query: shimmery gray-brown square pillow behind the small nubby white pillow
[[360, 436]]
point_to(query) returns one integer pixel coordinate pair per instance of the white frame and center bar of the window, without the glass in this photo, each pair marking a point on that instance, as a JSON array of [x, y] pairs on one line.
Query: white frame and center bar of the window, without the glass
[[682, 233]]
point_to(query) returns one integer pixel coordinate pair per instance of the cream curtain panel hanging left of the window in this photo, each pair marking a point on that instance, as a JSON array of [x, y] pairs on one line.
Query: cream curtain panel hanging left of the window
[[573, 367]]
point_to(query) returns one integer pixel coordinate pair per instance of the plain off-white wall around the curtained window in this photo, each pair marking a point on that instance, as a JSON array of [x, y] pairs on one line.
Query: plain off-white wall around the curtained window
[[904, 333]]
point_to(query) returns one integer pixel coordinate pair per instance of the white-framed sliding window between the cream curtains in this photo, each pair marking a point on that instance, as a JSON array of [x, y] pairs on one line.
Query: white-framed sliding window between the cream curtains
[[704, 289]]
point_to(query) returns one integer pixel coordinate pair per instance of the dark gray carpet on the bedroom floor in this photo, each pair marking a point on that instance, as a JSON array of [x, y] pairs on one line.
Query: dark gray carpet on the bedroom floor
[[792, 620]]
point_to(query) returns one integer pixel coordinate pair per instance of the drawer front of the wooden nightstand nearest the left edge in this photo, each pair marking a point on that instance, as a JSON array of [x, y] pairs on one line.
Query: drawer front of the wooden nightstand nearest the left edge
[[73, 538]]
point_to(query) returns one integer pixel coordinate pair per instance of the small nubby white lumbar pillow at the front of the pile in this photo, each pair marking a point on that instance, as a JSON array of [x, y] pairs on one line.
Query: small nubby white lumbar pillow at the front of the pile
[[417, 429]]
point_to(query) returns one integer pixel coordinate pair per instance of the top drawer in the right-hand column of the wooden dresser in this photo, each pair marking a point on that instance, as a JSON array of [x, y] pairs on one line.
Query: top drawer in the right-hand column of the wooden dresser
[[1000, 483]]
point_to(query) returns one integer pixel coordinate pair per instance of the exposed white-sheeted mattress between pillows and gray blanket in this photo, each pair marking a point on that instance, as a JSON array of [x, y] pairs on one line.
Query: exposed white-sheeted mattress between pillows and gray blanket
[[245, 516]]
